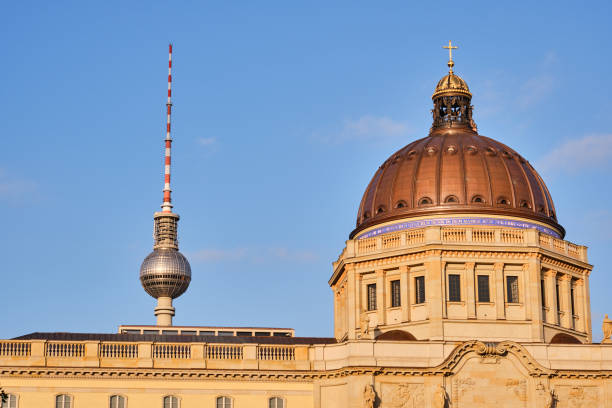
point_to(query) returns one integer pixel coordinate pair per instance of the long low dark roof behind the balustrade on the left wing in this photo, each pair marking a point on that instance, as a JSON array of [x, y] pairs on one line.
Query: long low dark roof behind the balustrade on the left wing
[[62, 336]]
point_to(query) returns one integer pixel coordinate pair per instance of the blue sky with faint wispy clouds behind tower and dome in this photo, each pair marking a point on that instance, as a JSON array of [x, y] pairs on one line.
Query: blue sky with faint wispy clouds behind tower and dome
[[282, 113]]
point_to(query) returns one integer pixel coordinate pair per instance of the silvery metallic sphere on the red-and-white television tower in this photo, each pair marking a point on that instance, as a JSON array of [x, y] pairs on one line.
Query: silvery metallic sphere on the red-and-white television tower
[[165, 273]]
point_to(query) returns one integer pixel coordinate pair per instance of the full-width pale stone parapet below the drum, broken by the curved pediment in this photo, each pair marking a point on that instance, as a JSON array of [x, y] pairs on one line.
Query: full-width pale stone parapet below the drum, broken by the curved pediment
[[318, 357]]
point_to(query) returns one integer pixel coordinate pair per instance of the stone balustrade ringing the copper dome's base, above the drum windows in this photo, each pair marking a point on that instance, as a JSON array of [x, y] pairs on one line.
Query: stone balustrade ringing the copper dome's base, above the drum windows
[[468, 235]]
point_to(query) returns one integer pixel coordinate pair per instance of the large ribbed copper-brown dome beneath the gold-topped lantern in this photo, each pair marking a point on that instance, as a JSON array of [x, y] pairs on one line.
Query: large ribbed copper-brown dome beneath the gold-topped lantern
[[452, 171]]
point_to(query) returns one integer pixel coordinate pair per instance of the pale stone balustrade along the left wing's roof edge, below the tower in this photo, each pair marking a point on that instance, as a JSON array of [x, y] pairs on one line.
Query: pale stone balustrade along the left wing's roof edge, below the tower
[[149, 354]]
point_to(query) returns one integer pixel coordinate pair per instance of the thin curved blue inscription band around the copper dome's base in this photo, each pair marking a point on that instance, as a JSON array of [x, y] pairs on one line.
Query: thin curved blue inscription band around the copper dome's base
[[499, 222]]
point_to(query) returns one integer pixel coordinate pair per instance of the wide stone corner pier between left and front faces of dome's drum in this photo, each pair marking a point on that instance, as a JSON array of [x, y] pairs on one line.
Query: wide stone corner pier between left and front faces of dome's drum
[[434, 282]]
